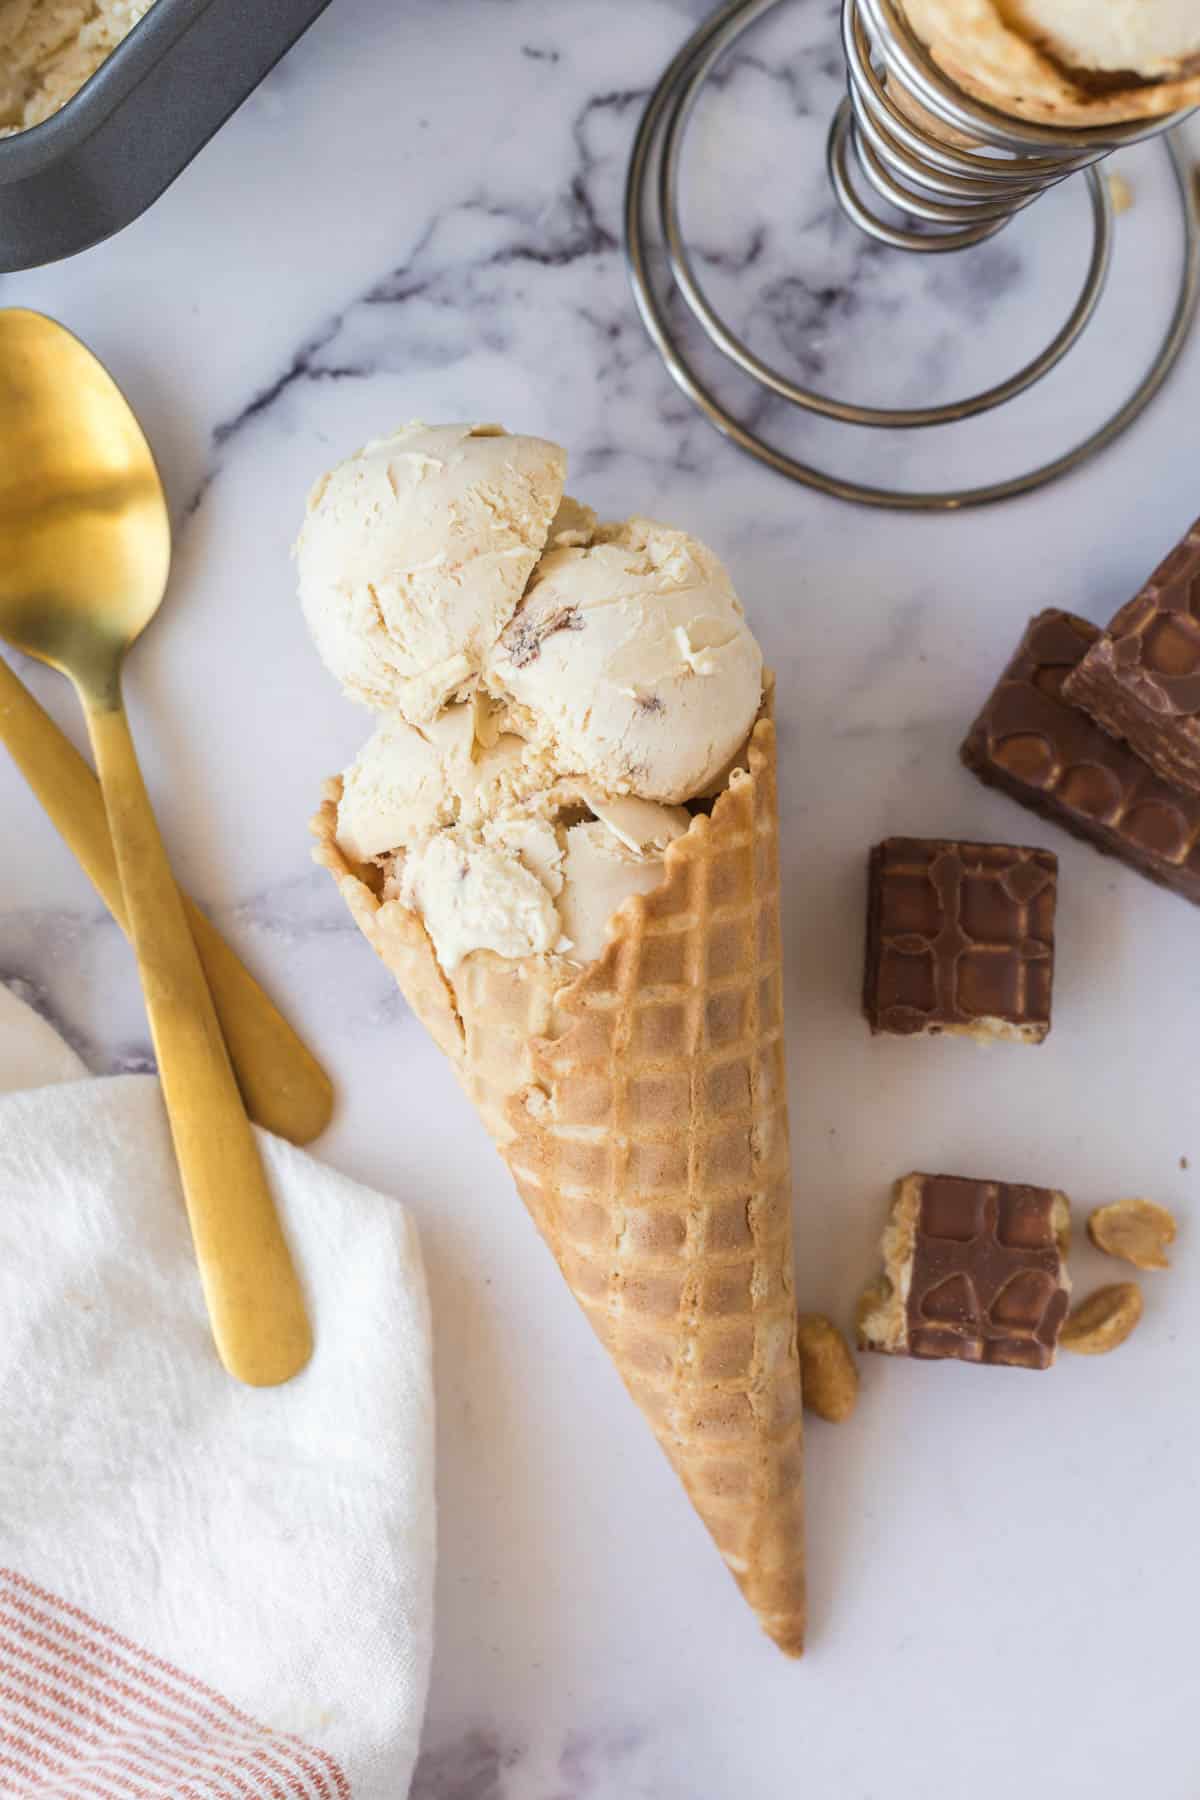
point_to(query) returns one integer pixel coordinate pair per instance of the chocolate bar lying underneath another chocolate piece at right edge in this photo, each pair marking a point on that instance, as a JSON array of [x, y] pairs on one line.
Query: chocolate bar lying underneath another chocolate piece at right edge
[[1055, 760]]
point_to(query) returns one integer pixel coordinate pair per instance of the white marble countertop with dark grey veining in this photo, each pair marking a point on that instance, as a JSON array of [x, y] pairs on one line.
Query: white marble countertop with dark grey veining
[[418, 215]]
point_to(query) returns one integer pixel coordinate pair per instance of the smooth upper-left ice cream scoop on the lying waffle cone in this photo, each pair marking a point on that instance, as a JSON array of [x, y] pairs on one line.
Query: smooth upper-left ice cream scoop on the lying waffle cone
[[415, 557]]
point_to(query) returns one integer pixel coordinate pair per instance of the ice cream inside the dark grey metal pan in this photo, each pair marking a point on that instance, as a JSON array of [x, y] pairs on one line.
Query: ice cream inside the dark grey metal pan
[[51, 48]]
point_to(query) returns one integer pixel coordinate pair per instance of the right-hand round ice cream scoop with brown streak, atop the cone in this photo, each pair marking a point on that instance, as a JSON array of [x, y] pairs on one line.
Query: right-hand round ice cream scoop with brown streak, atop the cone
[[634, 658]]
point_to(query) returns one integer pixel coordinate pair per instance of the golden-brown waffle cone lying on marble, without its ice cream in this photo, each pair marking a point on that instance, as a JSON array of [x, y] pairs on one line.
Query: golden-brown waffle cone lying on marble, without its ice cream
[[641, 1106]]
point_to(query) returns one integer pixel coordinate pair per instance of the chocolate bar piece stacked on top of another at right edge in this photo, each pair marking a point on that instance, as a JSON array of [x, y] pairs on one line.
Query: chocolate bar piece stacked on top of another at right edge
[[1142, 678]]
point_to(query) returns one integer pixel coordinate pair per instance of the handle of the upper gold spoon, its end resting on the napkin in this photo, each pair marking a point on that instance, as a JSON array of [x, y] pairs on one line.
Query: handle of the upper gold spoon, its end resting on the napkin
[[251, 1286]]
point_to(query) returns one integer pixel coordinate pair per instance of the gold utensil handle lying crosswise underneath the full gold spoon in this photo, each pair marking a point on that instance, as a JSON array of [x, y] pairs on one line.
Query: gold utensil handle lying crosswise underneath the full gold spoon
[[283, 1084]]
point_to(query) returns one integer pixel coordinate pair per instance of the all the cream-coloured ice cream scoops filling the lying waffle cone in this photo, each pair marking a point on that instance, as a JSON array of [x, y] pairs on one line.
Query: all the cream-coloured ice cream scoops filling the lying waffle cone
[[553, 690]]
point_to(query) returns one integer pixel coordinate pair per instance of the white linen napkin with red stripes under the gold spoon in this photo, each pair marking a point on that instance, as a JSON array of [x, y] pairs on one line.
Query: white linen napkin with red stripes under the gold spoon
[[206, 1592]]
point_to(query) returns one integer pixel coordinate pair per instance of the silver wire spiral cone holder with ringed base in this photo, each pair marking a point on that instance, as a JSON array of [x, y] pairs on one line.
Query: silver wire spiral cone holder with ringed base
[[906, 145]]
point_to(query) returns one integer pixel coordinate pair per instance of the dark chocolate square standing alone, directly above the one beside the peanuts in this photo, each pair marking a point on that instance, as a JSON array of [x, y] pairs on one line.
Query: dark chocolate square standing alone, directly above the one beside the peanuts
[[962, 940]]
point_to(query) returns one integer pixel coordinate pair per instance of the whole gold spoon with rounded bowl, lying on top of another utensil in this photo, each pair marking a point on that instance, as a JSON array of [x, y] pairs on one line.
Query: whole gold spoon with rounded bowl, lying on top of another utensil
[[85, 548]]
